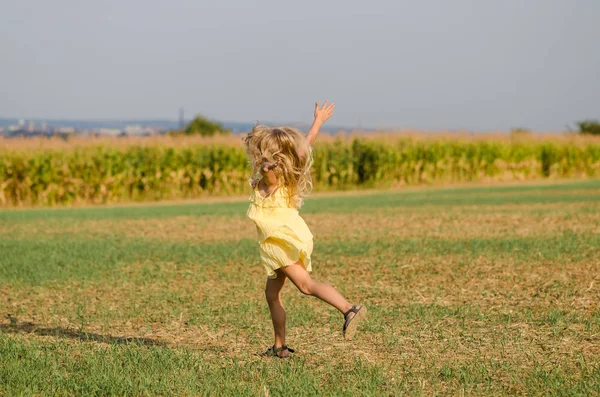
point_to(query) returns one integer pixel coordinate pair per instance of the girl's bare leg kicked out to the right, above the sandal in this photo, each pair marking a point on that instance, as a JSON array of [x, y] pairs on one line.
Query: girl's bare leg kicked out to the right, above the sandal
[[301, 279]]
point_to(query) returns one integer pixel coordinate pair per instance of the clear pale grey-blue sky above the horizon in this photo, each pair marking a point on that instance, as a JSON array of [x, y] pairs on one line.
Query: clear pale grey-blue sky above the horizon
[[429, 64]]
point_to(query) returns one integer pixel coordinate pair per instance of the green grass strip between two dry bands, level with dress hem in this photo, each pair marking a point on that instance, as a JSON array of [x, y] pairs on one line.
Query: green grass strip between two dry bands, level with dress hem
[[36, 261]]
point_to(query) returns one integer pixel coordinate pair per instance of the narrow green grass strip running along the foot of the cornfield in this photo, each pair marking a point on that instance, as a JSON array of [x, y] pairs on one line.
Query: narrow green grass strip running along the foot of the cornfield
[[345, 204]]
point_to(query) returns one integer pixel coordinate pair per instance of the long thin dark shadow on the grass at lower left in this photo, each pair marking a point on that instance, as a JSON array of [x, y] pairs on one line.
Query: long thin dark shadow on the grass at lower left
[[60, 332]]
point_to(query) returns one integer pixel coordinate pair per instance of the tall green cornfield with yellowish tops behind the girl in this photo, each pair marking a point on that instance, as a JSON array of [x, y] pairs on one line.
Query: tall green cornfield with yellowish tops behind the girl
[[49, 173]]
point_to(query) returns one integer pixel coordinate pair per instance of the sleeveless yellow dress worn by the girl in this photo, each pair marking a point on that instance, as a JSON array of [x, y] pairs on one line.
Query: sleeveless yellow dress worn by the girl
[[283, 236]]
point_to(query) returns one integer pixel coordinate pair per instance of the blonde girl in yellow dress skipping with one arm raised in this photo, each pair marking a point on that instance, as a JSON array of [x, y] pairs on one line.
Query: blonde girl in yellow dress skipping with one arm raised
[[281, 160]]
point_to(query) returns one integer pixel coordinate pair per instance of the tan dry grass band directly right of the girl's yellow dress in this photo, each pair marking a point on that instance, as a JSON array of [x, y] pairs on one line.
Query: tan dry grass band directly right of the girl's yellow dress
[[450, 223]]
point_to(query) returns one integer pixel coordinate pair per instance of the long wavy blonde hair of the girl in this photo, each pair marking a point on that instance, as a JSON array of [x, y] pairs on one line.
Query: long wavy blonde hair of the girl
[[288, 147]]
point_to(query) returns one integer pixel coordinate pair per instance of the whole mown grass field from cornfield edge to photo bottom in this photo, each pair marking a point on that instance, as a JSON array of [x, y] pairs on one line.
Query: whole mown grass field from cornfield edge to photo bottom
[[475, 291]]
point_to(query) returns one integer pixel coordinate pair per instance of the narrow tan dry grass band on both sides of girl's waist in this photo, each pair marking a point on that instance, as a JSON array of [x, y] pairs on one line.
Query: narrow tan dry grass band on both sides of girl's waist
[[397, 222]]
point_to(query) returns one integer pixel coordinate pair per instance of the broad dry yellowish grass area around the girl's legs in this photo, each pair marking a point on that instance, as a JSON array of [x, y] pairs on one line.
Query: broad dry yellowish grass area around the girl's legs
[[437, 298]]
